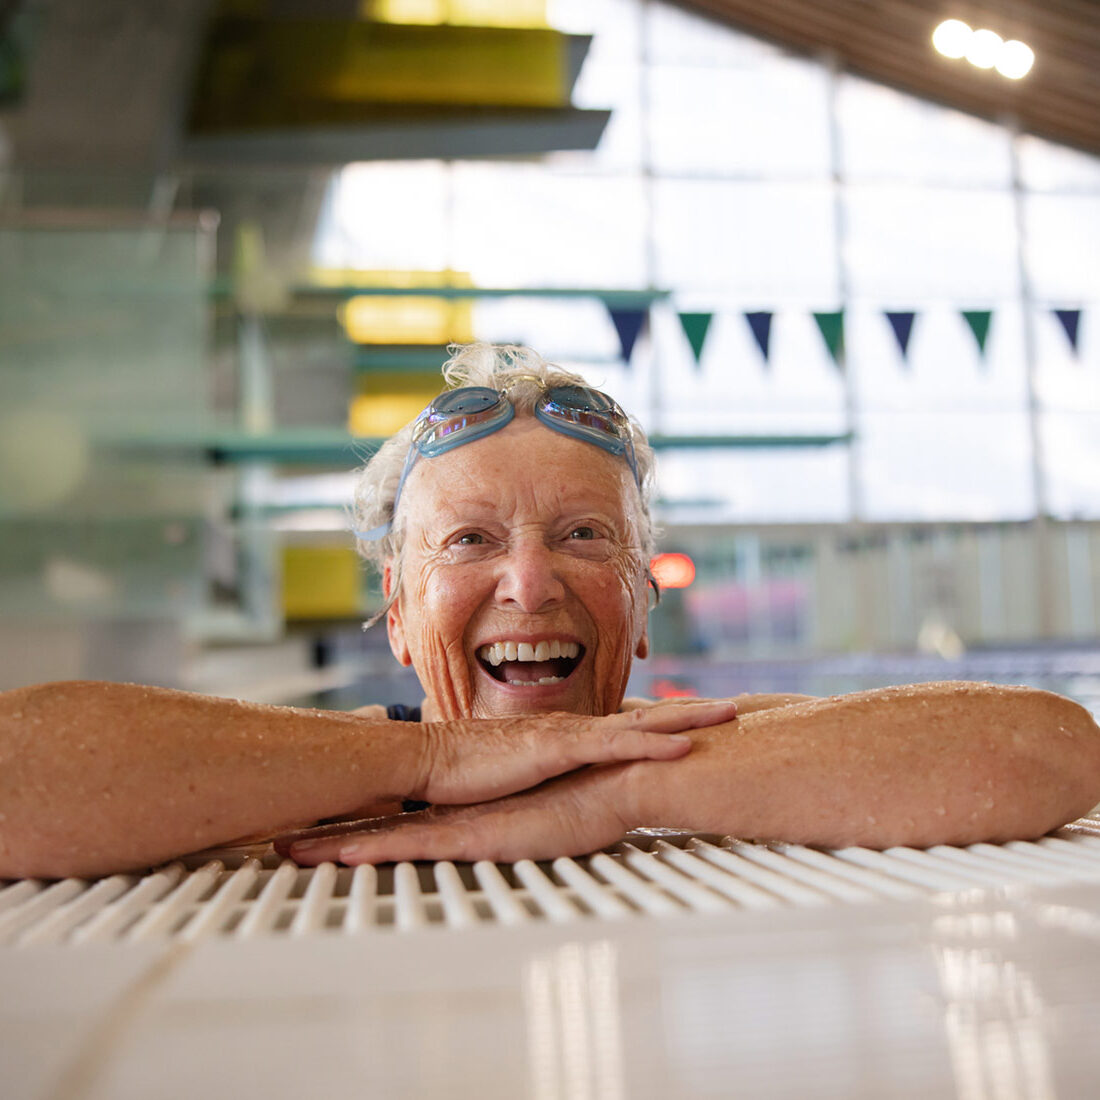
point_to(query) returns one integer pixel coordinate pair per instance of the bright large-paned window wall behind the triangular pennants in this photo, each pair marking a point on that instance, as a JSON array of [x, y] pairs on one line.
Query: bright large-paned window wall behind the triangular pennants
[[741, 179]]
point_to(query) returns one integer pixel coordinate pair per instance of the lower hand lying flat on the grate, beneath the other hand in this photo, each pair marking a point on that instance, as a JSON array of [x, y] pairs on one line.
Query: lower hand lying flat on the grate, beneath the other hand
[[567, 817]]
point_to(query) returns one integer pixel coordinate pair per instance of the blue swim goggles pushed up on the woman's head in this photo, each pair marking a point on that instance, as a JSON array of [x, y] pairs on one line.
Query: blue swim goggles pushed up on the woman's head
[[461, 416]]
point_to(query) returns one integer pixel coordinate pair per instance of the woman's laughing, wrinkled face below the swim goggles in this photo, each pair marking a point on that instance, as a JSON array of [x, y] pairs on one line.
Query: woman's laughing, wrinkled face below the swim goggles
[[524, 580]]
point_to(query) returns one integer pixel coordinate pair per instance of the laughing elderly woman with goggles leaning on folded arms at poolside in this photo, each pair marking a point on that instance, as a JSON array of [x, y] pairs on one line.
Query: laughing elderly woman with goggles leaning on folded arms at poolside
[[511, 522]]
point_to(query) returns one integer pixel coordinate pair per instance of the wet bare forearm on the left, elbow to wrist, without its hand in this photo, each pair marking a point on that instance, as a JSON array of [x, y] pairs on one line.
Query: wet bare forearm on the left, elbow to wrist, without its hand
[[103, 777]]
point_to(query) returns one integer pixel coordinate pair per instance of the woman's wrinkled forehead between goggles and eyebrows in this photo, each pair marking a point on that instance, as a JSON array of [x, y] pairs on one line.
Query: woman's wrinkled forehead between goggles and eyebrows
[[526, 470]]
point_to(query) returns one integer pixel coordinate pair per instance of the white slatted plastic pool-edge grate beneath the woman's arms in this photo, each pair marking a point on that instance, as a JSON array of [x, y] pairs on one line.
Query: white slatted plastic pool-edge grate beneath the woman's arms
[[651, 876]]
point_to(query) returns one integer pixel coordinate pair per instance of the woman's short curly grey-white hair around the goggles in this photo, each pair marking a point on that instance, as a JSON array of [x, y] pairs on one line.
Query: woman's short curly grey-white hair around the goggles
[[526, 376]]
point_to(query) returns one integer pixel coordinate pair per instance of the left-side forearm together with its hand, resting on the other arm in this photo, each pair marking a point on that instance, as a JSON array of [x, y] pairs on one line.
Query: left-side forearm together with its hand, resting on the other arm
[[105, 777]]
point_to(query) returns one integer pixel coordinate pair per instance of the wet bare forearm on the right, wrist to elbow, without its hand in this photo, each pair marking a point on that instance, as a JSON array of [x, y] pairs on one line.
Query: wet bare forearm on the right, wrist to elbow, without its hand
[[923, 765]]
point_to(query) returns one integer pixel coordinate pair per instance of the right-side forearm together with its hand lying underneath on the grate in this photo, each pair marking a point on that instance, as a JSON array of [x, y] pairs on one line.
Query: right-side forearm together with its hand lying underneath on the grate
[[926, 765]]
